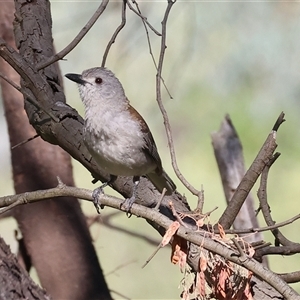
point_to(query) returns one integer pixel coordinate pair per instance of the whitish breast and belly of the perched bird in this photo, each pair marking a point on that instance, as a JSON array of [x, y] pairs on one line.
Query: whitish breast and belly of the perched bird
[[116, 143]]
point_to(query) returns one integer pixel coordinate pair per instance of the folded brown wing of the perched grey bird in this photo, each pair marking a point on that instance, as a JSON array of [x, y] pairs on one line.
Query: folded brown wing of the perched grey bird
[[150, 146]]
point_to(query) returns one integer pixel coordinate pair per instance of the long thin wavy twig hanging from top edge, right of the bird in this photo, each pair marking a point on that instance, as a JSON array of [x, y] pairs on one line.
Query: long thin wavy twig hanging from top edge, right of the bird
[[161, 106]]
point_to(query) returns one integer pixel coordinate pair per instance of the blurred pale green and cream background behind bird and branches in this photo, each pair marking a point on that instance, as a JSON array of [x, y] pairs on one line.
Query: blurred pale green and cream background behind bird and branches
[[240, 58]]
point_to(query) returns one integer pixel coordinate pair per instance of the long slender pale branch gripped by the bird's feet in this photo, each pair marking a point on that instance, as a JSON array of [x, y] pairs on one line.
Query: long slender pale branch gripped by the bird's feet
[[196, 237]]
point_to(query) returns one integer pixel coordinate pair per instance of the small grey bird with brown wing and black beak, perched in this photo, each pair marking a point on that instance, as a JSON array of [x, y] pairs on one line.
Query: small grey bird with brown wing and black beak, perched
[[116, 135]]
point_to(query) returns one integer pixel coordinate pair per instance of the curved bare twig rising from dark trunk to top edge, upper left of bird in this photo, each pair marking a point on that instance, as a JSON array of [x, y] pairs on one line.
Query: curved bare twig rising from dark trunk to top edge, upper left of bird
[[77, 39]]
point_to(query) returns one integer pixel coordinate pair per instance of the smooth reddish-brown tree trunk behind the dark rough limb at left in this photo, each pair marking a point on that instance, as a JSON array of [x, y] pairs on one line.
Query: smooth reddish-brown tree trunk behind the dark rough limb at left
[[55, 231]]
